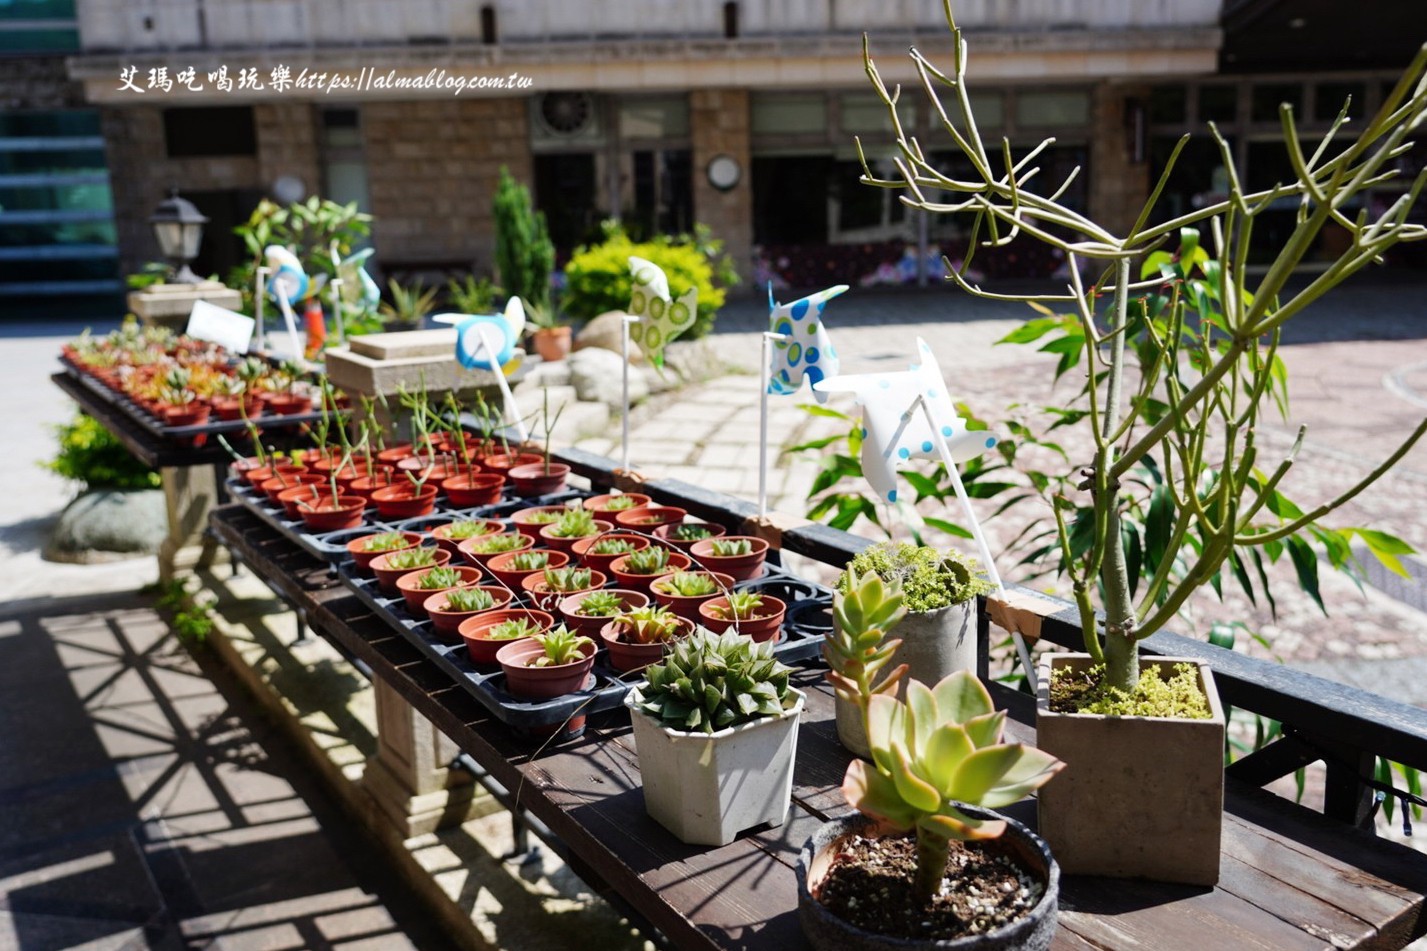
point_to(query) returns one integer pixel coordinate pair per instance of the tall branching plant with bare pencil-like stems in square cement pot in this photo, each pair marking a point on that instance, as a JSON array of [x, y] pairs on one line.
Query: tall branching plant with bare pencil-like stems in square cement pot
[[1179, 382]]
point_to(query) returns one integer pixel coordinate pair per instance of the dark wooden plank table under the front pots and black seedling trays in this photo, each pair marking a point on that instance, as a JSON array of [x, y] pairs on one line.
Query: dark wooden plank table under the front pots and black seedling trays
[[1291, 879]]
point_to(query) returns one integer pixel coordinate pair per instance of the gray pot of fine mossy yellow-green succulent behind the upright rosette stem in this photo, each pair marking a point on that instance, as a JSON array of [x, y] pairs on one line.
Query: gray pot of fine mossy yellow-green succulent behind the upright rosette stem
[[940, 635]]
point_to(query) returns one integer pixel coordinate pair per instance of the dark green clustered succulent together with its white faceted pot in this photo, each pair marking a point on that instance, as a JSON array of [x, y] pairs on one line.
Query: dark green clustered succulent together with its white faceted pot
[[716, 728]]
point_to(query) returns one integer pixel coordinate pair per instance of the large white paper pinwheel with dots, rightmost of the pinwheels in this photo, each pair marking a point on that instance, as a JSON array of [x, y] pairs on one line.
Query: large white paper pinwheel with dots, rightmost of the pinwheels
[[891, 435]]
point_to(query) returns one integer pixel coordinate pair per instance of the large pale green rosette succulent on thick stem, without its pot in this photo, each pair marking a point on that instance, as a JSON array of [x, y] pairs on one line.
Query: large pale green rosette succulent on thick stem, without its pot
[[934, 753]]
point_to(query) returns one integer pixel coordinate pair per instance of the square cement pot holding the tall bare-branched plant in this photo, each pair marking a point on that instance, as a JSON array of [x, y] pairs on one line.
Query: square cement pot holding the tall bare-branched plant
[[1141, 797]]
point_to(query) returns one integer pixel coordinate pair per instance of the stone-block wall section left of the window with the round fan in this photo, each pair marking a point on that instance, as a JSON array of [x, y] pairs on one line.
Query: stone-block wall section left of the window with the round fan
[[433, 169]]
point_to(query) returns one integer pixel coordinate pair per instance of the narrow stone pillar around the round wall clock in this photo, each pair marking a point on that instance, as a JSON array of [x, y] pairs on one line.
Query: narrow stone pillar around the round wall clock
[[720, 124]]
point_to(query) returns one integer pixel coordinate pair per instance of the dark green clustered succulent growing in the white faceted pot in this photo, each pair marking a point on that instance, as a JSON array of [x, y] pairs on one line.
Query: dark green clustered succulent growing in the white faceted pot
[[713, 682]]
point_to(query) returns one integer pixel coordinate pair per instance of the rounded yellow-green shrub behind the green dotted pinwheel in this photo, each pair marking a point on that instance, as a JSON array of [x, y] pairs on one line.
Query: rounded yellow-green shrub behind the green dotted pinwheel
[[599, 279]]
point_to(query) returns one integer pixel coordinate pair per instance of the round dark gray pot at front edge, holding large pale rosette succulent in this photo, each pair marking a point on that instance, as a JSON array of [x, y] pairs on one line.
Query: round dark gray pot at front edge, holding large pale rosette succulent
[[830, 933]]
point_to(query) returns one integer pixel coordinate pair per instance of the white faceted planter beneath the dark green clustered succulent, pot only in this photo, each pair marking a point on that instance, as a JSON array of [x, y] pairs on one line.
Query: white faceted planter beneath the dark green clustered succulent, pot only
[[707, 789]]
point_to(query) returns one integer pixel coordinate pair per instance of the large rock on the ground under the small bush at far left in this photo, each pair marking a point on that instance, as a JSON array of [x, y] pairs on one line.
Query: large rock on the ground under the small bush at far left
[[106, 522]]
